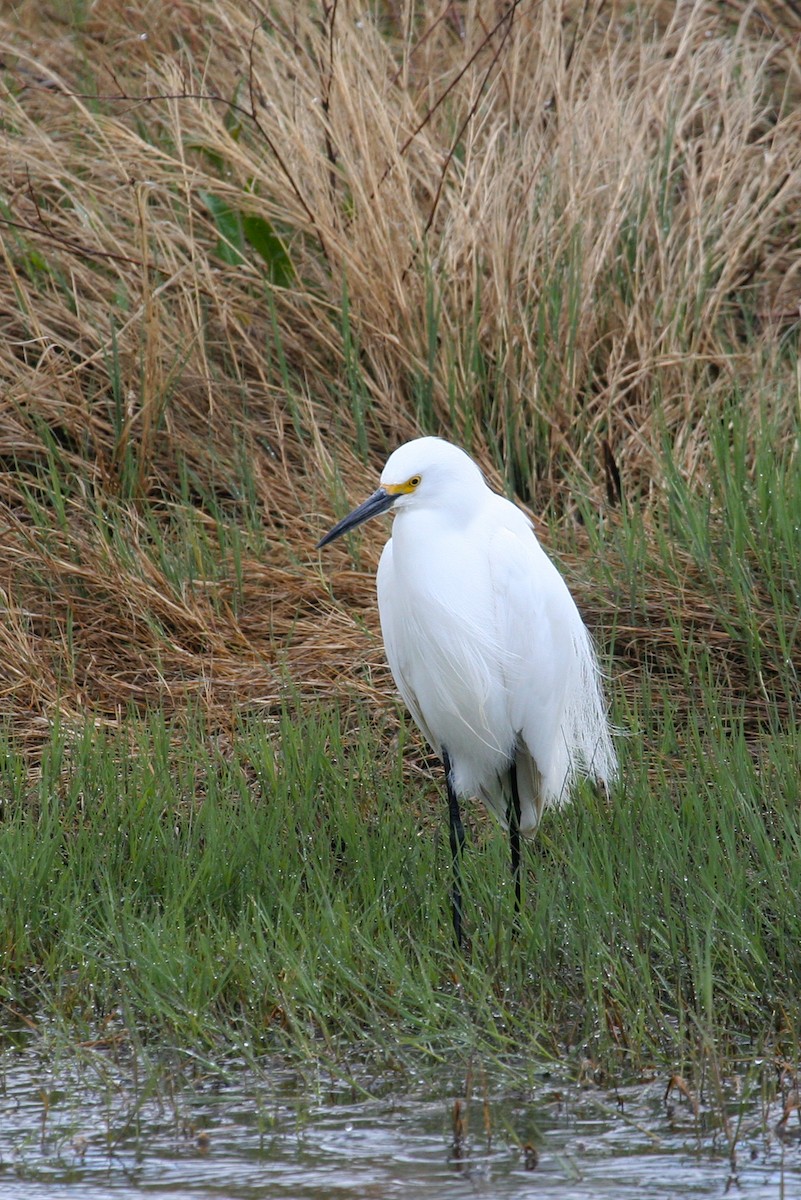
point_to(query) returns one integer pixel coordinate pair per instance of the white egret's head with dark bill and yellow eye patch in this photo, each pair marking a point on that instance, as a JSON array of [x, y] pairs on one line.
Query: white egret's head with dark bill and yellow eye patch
[[427, 471]]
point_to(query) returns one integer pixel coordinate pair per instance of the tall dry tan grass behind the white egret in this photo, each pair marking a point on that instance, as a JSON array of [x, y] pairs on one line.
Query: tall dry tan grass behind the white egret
[[537, 227]]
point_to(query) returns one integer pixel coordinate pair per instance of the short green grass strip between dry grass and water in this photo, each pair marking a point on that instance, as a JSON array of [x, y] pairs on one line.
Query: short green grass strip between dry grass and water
[[288, 889]]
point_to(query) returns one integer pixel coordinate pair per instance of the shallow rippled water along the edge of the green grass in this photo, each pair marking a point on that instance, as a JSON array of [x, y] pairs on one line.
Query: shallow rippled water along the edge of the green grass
[[95, 1129]]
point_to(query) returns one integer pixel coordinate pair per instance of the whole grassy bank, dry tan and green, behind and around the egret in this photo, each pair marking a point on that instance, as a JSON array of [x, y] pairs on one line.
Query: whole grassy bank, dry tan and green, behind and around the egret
[[243, 261]]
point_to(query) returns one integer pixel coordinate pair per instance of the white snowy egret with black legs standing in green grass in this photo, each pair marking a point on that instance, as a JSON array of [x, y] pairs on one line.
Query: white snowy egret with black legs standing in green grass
[[486, 645]]
